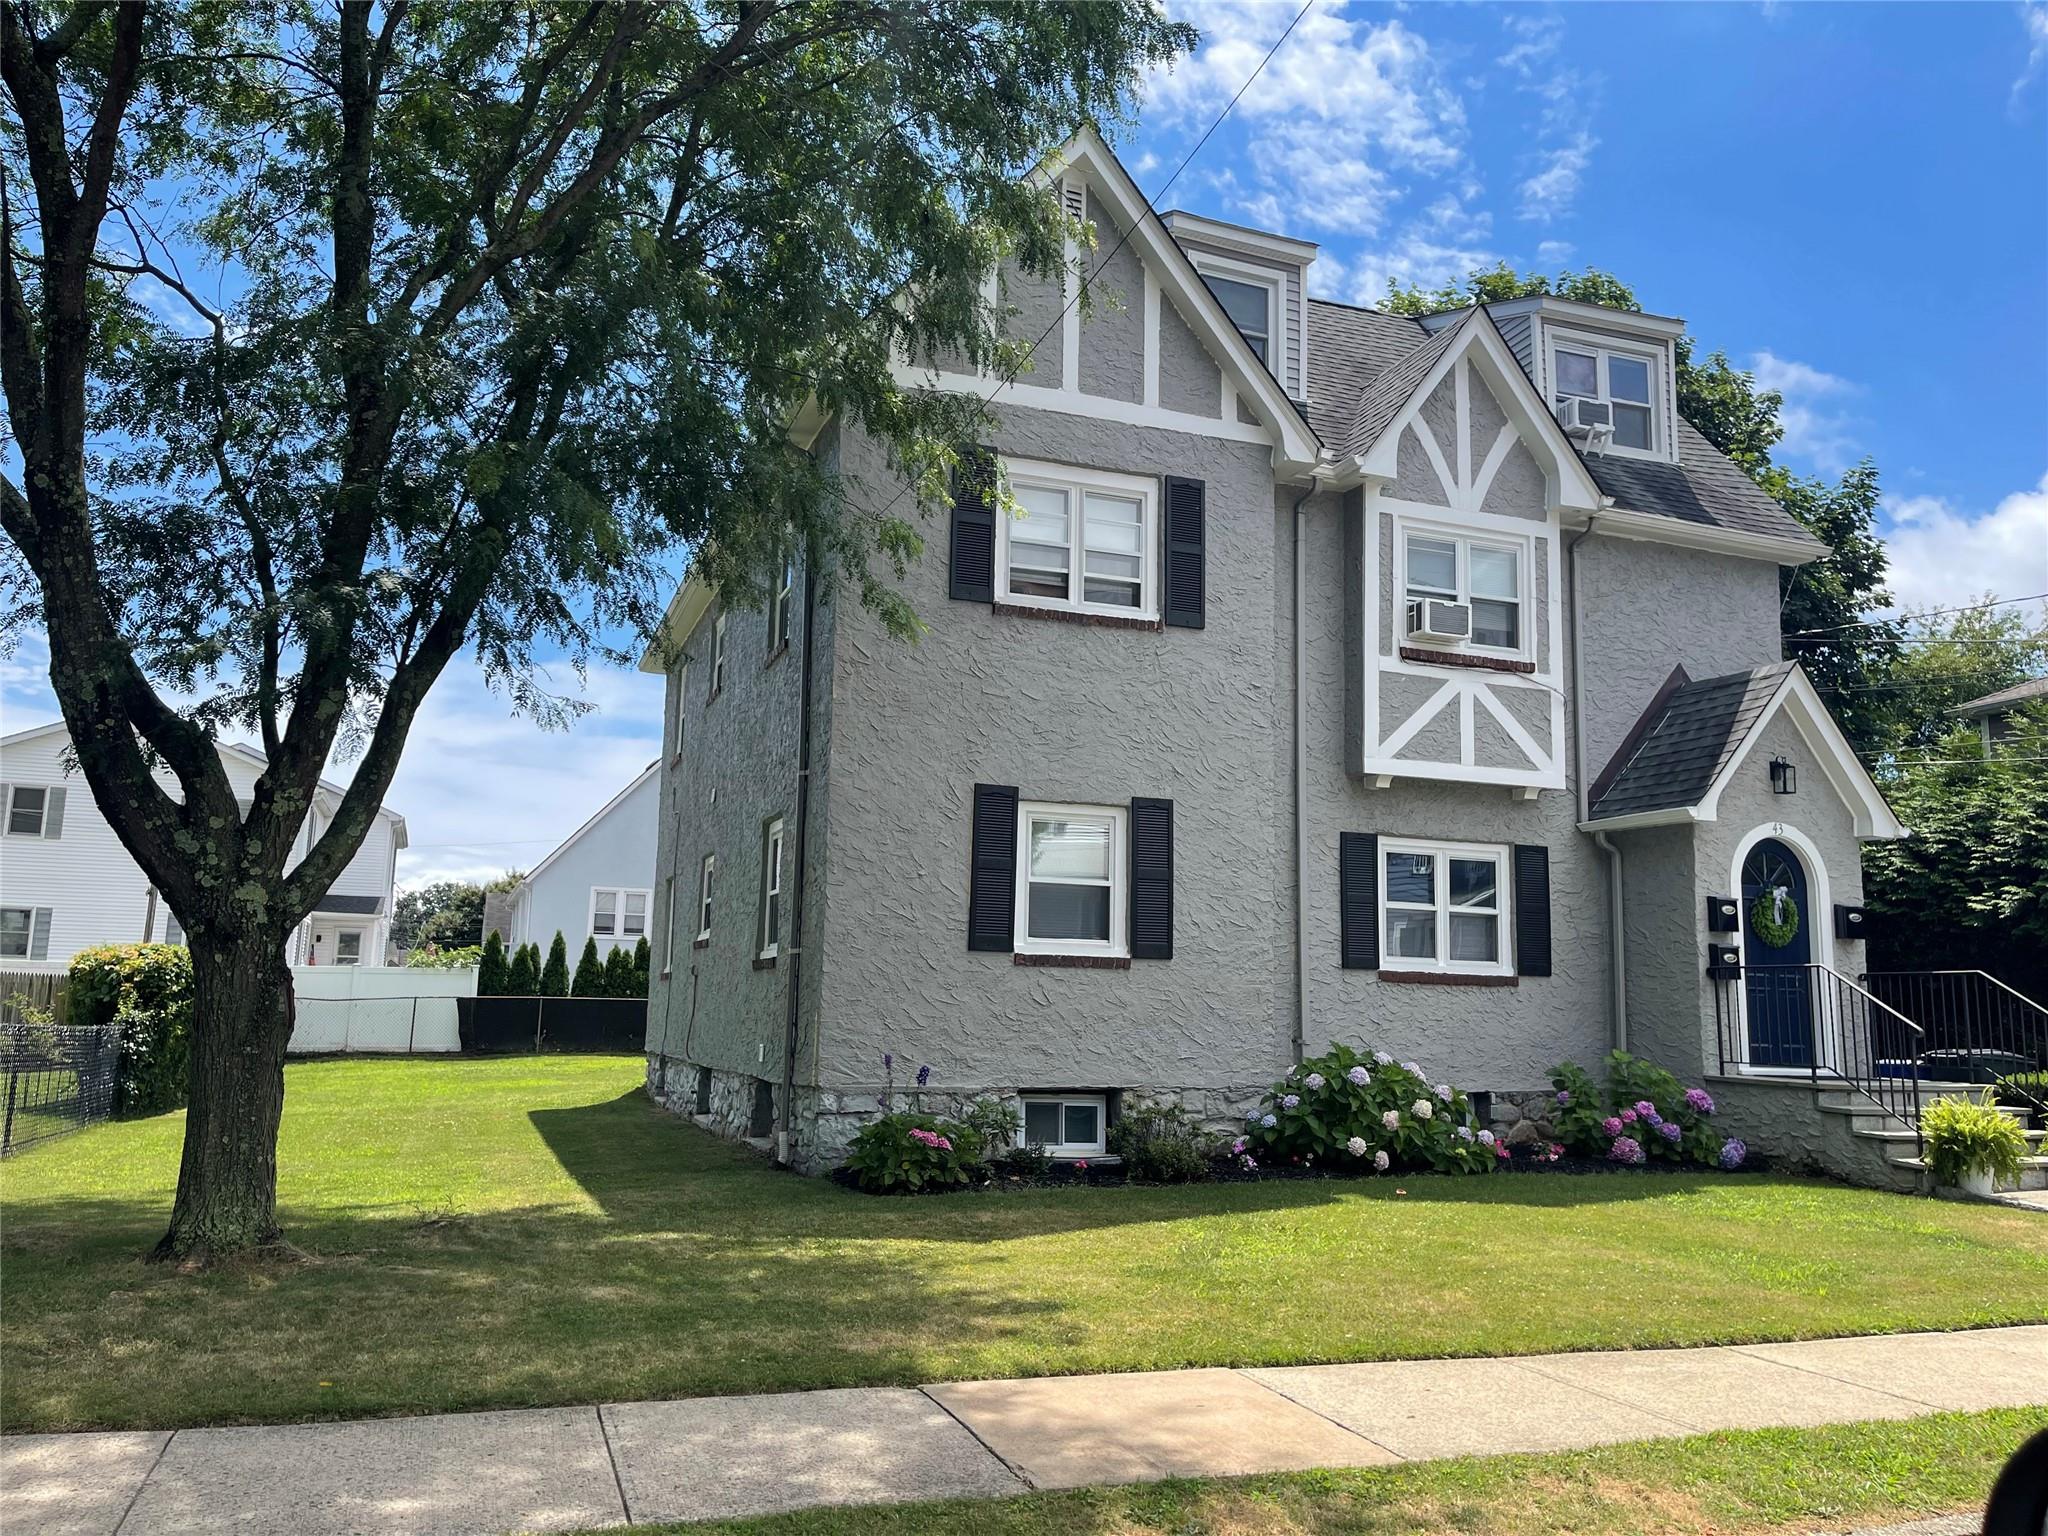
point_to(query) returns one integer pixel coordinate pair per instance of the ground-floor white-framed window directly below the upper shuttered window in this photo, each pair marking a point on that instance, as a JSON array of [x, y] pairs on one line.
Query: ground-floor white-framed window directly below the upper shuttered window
[[1072, 880]]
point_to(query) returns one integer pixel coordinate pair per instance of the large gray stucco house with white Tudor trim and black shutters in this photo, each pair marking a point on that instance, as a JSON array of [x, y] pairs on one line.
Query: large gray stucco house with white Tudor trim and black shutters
[[1334, 677]]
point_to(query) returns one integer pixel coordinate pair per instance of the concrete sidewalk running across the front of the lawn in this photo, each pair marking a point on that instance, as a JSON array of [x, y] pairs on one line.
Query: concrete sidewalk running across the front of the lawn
[[722, 1457]]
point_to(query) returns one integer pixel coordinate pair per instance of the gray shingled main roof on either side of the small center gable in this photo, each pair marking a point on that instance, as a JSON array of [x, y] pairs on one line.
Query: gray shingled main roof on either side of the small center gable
[[1365, 366]]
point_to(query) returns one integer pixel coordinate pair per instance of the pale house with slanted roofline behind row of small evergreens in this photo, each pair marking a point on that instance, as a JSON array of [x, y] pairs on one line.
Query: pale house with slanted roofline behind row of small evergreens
[[599, 884]]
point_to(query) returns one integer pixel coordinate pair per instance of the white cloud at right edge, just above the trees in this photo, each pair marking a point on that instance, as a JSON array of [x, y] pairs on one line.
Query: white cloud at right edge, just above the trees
[[1940, 556]]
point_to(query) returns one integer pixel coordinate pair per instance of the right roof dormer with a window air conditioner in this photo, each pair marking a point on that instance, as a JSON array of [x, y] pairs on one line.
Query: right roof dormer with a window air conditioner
[[1611, 376]]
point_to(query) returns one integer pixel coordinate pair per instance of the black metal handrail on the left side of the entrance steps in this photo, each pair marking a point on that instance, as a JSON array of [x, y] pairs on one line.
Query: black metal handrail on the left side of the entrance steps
[[1809, 1019]]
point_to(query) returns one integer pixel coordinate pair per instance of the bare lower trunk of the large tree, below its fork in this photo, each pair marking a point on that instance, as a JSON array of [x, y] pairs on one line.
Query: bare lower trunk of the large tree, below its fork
[[243, 1013]]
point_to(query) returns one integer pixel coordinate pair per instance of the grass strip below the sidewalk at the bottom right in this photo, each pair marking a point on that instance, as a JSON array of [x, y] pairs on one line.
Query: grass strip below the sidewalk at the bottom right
[[1711, 1486]]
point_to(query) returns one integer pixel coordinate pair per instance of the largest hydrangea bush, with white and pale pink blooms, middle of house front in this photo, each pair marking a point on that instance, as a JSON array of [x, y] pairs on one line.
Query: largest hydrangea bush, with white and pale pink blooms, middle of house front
[[1369, 1113]]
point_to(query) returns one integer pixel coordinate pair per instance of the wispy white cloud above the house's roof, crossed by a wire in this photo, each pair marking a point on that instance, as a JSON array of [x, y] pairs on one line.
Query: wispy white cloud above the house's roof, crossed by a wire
[[1340, 110]]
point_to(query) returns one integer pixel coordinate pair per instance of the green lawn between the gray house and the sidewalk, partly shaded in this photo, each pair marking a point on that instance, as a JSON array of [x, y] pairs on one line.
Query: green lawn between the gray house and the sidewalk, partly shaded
[[534, 1232]]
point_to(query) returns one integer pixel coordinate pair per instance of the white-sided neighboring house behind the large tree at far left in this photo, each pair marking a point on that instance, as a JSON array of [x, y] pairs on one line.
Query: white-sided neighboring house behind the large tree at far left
[[67, 884]]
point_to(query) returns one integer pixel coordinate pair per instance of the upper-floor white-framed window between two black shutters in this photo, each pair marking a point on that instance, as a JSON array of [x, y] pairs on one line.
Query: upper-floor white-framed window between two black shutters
[[1086, 542]]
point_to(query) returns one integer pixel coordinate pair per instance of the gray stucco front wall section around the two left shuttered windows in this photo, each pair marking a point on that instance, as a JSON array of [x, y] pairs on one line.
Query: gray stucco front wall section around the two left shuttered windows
[[1074, 714]]
